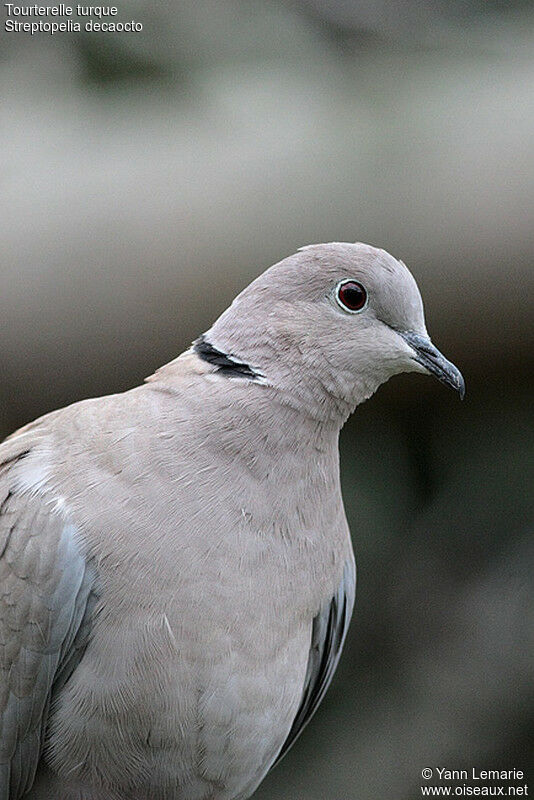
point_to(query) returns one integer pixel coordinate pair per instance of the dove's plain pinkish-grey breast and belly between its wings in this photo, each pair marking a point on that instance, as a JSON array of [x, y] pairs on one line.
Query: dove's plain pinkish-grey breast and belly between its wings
[[200, 639]]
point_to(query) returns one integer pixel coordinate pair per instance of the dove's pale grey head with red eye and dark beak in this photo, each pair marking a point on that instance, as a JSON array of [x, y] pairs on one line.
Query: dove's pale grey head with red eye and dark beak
[[327, 326]]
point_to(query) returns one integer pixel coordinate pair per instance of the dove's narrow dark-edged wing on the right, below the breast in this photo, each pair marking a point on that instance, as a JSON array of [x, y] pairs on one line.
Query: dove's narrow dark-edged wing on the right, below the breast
[[329, 629]]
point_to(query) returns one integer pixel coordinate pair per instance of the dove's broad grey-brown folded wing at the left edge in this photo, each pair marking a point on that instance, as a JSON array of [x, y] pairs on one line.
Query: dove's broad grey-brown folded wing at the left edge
[[45, 586]]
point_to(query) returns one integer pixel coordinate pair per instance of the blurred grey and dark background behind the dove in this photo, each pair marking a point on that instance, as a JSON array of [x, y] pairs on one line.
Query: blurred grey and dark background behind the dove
[[146, 178]]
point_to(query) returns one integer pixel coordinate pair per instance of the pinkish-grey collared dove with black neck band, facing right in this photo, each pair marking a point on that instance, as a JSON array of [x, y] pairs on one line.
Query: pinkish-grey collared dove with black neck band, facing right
[[176, 569]]
